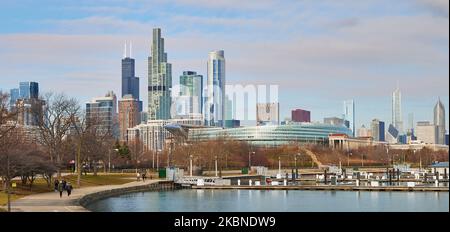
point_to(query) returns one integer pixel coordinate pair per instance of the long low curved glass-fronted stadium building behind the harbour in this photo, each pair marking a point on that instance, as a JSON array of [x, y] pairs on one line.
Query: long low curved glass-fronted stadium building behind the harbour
[[269, 135]]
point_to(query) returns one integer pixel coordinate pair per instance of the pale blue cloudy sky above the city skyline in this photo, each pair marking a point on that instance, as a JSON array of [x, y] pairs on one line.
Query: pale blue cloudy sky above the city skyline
[[318, 52]]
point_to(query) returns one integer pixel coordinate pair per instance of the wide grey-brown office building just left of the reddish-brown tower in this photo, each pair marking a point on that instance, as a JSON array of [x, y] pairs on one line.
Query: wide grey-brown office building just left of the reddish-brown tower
[[102, 111]]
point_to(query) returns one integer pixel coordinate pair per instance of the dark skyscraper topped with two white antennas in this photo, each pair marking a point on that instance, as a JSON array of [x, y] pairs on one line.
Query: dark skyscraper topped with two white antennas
[[130, 83]]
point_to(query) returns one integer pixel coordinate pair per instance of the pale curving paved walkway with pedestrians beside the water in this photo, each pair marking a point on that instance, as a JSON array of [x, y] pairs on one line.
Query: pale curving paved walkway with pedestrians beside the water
[[51, 202]]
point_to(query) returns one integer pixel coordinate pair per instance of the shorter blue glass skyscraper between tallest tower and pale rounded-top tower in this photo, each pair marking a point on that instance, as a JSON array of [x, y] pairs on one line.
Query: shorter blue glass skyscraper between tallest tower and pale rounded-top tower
[[191, 86]]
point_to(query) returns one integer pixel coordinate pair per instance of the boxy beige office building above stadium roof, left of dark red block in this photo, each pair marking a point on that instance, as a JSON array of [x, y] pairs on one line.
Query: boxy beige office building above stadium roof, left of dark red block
[[267, 114]]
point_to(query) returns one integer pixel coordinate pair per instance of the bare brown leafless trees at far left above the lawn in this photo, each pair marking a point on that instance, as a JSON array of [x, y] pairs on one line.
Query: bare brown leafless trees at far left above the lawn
[[63, 133]]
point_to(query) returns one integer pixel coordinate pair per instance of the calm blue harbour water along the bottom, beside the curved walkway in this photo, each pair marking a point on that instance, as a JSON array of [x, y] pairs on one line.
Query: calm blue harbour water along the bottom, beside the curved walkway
[[189, 200]]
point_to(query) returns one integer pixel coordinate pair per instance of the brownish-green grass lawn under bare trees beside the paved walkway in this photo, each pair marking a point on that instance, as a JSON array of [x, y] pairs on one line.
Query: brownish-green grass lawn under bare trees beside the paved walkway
[[40, 185]]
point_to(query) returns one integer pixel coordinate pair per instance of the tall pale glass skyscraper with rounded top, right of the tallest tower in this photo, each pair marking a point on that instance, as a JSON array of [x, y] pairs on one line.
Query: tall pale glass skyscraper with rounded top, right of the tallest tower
[[215, 94]]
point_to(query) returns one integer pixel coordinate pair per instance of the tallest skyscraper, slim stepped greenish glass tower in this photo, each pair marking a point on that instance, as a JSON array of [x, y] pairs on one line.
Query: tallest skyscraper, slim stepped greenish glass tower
[[159, 80]]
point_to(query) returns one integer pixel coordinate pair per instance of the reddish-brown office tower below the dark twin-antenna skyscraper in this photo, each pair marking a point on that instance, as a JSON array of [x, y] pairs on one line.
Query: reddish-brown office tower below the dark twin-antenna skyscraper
[[129, 115]]
